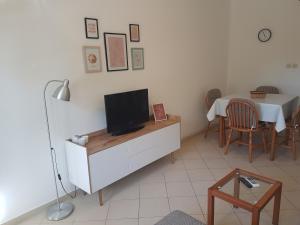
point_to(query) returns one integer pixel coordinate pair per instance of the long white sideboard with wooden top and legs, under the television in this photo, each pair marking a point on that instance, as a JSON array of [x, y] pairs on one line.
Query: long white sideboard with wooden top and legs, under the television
[[106, 159]]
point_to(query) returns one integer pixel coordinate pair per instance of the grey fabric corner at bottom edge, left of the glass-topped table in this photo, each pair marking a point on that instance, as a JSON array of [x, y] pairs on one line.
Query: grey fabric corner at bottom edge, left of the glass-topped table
[[178, 218]]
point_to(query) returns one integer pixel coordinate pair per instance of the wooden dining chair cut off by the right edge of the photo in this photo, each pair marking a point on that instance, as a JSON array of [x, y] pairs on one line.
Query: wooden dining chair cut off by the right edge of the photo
[[292, 128]]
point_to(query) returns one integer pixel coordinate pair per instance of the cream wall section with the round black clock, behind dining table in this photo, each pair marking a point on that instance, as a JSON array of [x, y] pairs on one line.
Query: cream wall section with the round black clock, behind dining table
[[252, 63]]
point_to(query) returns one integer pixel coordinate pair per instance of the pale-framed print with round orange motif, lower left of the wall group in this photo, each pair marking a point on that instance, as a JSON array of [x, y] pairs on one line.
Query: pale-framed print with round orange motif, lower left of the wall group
[[92, 60]]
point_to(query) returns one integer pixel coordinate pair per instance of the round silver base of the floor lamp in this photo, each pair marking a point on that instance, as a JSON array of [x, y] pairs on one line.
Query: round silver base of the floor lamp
[[55, 213]]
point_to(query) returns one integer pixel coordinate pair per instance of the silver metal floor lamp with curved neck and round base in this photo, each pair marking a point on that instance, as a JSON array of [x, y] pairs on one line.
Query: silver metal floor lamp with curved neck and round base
[[60, 210]]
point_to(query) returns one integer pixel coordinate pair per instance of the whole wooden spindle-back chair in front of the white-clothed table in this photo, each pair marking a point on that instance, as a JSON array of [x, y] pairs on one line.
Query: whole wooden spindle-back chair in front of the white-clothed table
[[243, 118]]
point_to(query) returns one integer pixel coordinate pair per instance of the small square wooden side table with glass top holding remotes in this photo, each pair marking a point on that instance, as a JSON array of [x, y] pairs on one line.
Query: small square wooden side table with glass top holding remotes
[[228, 189]]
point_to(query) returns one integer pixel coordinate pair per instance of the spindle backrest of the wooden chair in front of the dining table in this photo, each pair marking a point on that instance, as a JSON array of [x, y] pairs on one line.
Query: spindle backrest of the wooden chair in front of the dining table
[[242, 114]]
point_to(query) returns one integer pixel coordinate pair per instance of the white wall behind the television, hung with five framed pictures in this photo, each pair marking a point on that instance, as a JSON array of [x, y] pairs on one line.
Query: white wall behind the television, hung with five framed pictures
[[185, 54]]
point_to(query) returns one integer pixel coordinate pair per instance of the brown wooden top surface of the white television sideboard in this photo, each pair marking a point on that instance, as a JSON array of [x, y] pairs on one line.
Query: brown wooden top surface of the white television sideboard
[[101, 140]]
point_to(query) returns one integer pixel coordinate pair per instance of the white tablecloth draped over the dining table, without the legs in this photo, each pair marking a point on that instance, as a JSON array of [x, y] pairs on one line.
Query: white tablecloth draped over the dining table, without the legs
[[274, 108]]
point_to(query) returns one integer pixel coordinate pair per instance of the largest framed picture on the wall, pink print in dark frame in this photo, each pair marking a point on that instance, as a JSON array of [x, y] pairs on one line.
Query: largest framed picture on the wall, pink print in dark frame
[[116, 51]]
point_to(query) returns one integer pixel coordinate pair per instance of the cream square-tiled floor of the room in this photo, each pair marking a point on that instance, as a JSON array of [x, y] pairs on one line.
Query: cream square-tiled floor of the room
[[149, 194]]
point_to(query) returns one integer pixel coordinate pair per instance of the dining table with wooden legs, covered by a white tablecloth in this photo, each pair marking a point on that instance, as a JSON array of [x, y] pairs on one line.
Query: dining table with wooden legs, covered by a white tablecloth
[[273, 109]]
